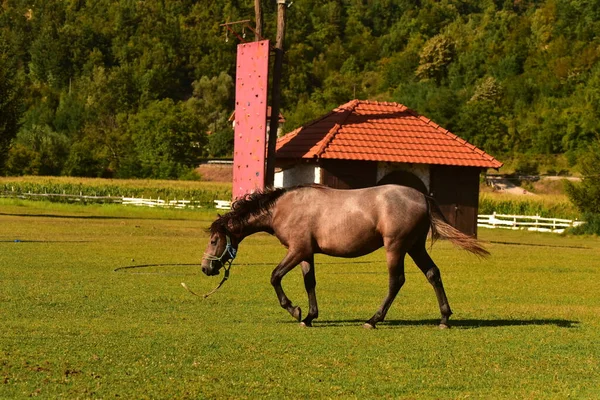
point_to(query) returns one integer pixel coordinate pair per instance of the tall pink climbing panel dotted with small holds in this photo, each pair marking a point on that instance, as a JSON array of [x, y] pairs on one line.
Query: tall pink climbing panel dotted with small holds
[[252, 74]]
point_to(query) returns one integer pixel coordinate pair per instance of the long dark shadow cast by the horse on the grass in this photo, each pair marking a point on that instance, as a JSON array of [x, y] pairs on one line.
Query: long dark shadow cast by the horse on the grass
[[456, 323]]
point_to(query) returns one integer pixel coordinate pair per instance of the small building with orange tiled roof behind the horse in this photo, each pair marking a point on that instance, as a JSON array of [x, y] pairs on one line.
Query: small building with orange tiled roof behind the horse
[[365, 143]]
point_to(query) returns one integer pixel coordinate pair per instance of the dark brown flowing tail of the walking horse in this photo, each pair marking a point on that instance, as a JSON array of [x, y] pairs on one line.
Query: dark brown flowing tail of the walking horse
[[440, 228]]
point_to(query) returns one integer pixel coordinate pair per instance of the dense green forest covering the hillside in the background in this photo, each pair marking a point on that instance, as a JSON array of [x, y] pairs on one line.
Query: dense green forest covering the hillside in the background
[[128, 88]]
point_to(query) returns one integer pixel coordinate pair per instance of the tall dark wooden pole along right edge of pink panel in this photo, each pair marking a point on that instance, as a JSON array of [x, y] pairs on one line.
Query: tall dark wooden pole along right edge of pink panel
[[276, 93]]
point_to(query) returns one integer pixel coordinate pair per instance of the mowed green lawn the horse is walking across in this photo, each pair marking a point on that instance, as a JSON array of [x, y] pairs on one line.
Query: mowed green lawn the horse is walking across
[[526, 321]]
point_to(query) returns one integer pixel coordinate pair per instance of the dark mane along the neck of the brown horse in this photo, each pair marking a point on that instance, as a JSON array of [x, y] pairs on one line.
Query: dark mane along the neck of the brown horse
[[251, 205]]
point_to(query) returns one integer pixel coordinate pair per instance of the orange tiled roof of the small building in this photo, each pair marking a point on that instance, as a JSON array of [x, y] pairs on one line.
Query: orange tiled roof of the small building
[[378, 131]]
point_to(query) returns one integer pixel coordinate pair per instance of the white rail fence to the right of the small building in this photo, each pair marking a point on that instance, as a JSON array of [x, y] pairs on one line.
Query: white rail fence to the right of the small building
[[531, 223]]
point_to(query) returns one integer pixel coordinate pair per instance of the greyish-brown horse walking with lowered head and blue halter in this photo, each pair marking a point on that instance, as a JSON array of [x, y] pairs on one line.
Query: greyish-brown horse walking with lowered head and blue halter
[[311, 219]]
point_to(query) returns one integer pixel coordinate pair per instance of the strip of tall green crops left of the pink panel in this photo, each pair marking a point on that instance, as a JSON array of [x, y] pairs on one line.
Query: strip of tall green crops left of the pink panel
[[200, 193]]
